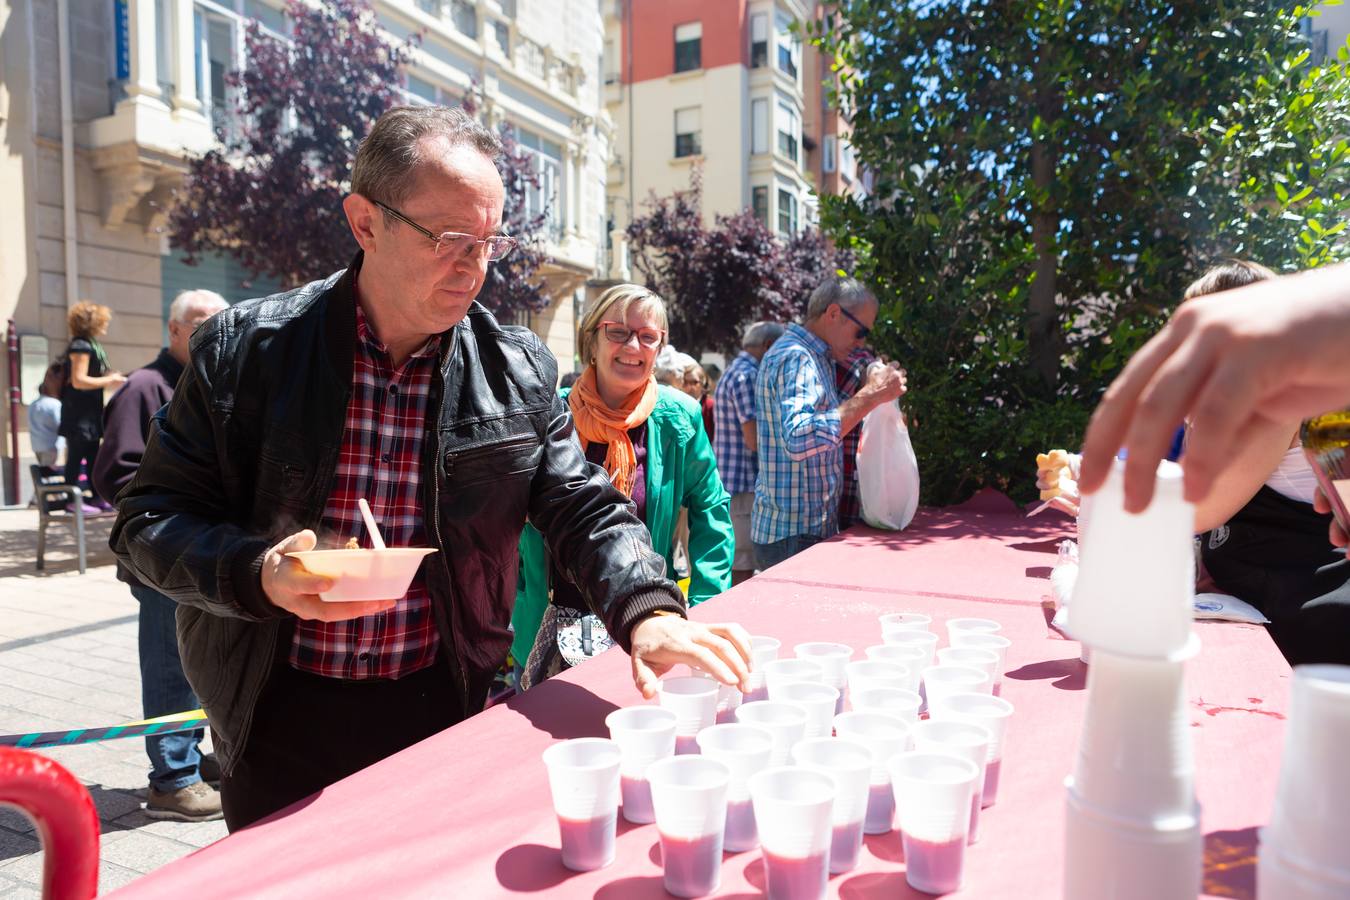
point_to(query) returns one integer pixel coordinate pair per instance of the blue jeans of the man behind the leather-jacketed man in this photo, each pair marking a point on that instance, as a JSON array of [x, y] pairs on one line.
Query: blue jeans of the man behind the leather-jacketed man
[[175, 759]]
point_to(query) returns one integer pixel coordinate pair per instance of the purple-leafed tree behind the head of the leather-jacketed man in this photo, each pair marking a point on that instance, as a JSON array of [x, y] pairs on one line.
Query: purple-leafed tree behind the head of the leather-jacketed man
[[271, 195]]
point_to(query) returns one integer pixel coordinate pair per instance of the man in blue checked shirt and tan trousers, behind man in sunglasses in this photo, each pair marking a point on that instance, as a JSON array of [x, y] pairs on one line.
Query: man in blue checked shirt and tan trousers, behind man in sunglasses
[[735, 438]]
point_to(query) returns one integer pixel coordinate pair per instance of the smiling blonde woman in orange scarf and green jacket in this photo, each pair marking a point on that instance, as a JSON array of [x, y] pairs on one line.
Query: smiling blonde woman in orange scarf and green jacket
[[651, 442]]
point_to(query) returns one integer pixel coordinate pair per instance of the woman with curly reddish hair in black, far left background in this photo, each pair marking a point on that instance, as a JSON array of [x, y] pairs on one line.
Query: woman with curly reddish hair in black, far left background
[[82, 396]]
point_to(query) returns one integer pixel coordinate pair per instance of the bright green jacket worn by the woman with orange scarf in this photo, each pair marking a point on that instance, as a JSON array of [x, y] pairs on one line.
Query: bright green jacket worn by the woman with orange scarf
[[681, 473]]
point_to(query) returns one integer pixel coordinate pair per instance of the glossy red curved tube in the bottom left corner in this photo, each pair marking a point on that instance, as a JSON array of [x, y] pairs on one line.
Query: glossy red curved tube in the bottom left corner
[[68, 824]]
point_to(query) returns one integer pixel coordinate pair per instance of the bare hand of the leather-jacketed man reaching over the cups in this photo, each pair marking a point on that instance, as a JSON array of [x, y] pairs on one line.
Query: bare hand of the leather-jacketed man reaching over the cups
[[664, 642]]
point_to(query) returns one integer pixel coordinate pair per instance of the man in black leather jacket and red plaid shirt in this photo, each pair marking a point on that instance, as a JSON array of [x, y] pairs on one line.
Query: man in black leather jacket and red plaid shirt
[[271, 438]]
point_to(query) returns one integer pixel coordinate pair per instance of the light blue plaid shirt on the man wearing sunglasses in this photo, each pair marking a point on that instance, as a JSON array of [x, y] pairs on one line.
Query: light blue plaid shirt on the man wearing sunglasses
[[800, 441]]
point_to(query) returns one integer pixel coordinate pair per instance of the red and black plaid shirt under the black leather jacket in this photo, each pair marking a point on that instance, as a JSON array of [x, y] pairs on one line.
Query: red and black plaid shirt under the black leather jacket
[[381, 461]]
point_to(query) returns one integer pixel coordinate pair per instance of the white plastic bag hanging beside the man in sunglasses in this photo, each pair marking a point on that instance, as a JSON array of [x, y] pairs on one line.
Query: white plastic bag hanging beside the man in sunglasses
[[888, 473]]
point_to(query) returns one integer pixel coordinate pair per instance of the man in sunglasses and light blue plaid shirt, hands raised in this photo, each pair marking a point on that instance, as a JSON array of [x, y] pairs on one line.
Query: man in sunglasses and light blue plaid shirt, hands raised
[[803, 420]]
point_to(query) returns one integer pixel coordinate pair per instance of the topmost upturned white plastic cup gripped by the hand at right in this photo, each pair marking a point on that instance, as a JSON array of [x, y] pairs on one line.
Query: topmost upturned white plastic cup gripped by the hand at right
[[1124, 607]]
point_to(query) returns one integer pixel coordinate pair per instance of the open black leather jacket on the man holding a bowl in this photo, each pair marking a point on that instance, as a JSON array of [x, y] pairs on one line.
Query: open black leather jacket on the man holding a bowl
[[246, 454]]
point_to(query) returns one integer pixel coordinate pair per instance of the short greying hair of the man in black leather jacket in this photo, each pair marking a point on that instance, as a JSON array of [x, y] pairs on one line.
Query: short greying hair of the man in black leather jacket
[[389, 157]]
